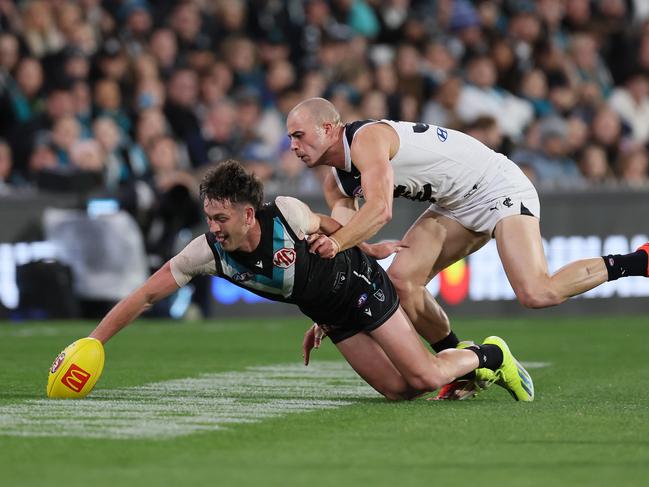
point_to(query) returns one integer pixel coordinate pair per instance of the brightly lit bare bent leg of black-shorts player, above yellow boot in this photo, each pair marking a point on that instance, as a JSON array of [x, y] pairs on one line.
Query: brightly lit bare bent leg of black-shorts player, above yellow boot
[[422, 370]]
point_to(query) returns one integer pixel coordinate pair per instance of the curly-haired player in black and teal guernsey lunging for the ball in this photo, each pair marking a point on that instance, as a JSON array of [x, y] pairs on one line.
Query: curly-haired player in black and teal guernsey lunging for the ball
[[361, 311]]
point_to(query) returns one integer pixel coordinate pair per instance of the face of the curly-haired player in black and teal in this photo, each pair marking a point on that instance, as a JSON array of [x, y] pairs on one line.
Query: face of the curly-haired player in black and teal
[[229, 222]]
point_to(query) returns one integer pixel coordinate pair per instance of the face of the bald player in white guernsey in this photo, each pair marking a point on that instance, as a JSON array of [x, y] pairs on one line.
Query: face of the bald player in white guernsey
[[308, 140]]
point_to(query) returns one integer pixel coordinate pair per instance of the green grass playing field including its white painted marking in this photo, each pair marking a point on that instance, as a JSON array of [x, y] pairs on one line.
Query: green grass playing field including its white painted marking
[[252, 415]]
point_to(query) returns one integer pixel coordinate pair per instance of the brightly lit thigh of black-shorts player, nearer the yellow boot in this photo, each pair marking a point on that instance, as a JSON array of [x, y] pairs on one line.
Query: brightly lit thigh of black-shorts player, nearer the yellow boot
[[401, 343]]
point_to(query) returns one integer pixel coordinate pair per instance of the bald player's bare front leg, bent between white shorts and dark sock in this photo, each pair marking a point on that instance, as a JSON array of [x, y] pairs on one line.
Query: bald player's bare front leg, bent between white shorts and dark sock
[[433, 243]]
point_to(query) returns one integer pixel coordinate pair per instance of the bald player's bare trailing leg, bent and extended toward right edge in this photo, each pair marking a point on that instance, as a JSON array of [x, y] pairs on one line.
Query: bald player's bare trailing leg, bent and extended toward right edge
[[519, 243]]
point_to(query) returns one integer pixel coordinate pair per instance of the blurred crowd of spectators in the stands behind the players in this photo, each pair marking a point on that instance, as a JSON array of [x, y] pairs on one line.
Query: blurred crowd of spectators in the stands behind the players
[[136, 99]]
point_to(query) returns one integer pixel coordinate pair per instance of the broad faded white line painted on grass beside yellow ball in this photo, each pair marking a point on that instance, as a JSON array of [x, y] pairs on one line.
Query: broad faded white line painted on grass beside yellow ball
[[184, 406]]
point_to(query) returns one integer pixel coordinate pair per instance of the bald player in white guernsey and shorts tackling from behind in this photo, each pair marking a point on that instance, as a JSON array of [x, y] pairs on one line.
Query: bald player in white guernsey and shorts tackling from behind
[[476, 194]]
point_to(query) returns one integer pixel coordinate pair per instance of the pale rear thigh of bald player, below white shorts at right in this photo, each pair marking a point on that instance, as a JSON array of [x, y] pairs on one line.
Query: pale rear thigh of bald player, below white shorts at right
[[520, 247]]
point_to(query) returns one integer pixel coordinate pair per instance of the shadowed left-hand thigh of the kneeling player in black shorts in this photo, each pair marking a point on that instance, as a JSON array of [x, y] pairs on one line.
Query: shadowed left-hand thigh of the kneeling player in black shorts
[[370, 362]]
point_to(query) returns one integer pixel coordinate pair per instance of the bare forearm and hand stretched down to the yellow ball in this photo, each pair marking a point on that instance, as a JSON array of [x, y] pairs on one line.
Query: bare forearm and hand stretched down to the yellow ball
[[158, 286]]
